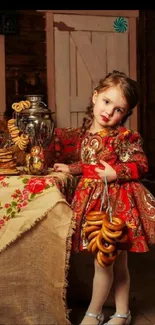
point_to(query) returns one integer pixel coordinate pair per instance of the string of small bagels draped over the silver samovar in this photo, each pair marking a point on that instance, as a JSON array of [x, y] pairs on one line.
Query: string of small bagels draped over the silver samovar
[[20, 139]]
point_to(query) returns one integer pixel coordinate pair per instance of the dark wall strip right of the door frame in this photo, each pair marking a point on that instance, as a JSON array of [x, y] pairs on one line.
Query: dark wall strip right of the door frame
[[147, 85]]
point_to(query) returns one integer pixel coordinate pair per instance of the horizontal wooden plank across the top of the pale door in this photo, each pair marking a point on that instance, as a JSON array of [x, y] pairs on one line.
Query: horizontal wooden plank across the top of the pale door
[[82, 23]]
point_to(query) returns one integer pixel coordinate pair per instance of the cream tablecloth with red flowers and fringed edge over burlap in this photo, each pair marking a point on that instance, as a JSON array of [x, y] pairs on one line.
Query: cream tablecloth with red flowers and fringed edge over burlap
[[25, 199]]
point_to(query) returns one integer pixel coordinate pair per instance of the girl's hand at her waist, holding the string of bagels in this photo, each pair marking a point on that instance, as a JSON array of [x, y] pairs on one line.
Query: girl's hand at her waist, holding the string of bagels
[[108, 171]]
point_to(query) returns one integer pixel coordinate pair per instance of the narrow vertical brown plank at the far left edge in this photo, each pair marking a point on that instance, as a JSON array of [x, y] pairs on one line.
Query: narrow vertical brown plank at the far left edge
[[2, 79]]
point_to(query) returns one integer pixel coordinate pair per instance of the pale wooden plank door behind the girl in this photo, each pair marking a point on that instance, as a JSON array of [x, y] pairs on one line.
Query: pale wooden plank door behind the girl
[[86, 49]]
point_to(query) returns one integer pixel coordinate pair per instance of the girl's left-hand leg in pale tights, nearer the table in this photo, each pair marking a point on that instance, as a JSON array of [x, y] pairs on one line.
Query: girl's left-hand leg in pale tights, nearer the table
[[102, 282]]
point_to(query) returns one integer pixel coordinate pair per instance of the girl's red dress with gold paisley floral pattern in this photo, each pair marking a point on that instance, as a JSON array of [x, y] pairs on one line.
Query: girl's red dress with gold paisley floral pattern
[[129, 199]]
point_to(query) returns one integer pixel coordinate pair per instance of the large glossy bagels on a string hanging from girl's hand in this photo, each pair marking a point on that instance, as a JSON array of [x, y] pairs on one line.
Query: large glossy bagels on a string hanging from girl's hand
[[103, 231]]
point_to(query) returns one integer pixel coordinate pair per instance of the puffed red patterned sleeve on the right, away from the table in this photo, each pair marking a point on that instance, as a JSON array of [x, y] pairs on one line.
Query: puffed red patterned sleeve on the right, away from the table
[[132, 162]]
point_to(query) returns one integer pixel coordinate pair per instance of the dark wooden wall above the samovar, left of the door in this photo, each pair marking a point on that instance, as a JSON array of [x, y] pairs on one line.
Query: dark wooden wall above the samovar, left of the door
[[25, 55]]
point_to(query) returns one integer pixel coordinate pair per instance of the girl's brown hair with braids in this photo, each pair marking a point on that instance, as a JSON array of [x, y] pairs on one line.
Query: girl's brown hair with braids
[[129, 90]]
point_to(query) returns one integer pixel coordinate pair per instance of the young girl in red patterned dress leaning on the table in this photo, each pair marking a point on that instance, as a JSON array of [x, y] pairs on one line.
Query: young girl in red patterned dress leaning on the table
[[108, 149]]
